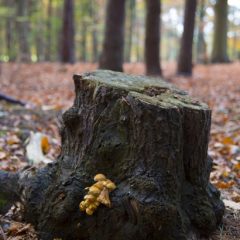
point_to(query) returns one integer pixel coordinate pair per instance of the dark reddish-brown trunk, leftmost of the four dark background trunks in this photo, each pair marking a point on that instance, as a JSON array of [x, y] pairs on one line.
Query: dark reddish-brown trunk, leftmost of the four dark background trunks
[[67, 51]]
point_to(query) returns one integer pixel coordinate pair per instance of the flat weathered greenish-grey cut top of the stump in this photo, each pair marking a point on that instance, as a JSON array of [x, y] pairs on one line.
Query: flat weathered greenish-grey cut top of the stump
[[150, 90]]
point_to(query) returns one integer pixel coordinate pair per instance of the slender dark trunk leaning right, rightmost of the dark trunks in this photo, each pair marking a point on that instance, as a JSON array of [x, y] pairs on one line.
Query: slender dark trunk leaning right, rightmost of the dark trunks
[[185, 56]]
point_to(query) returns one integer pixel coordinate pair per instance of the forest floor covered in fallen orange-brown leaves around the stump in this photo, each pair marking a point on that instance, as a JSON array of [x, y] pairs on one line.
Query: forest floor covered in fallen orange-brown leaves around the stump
[[48, 90]]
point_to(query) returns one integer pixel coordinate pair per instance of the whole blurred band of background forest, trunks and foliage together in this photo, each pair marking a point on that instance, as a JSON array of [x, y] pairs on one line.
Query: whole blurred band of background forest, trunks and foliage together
[[55, 30]]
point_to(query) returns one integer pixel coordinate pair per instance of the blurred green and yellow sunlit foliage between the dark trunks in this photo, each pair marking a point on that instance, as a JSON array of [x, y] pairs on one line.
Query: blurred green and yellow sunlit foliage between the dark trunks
[[34, 29]]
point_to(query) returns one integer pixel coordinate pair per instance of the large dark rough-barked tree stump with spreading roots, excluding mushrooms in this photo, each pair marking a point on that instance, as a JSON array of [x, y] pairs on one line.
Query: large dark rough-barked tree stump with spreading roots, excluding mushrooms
[[150, 139]]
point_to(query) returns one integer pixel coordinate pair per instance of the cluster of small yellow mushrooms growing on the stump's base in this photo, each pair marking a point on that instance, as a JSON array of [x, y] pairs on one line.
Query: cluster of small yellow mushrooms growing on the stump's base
[[97, 194]]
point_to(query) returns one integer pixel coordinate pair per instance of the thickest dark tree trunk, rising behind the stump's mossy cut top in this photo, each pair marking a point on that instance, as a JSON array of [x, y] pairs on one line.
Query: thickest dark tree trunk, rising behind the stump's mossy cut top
[[113, 45]]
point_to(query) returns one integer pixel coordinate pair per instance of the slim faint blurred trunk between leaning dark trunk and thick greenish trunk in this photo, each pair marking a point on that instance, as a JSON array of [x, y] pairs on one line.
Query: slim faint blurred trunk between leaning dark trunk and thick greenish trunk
[[201, 43]]
